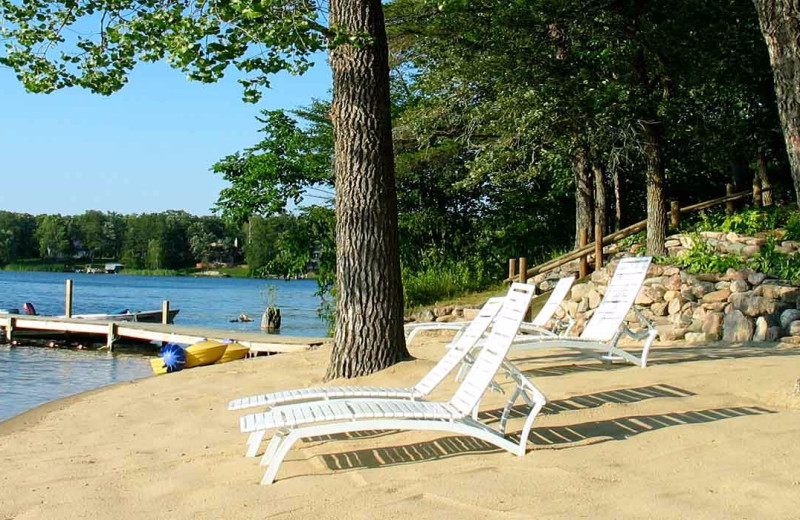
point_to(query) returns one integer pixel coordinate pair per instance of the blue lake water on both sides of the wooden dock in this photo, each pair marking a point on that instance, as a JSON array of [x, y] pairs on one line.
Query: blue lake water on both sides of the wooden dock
[[30, 376]]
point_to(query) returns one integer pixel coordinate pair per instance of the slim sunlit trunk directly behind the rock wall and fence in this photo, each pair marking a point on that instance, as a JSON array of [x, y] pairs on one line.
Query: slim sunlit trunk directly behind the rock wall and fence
[[656, 198]]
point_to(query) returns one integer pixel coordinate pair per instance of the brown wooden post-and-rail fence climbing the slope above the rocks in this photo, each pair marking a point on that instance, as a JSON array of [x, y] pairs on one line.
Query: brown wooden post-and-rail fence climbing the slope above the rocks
[[584, 249]]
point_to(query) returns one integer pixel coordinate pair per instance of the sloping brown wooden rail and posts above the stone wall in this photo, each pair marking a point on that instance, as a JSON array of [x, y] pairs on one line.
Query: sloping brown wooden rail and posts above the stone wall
[[585, 250]]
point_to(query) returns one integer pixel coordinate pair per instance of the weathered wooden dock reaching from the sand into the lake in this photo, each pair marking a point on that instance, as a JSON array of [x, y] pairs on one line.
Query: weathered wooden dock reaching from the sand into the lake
[[30, 326]]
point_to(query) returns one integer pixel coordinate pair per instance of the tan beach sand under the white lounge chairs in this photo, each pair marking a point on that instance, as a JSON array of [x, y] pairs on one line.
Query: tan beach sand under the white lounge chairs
[[705, 432]]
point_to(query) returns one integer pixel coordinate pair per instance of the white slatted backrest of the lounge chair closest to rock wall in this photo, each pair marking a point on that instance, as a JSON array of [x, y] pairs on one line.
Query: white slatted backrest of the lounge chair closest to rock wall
[[618, 300]]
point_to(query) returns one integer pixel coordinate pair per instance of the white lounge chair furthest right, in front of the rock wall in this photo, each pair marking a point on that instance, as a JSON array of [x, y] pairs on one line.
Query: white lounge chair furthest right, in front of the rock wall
[[606, 327]]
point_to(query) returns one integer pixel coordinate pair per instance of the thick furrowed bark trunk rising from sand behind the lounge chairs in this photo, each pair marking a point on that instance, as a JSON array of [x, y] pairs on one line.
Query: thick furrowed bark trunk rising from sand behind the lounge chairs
[[369, 320]]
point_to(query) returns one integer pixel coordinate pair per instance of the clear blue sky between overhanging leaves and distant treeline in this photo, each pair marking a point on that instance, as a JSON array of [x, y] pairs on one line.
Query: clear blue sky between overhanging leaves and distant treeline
[[147, 148]]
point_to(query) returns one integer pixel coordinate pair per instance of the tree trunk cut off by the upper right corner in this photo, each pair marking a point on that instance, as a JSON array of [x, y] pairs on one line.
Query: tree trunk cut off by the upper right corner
[[780, 25]]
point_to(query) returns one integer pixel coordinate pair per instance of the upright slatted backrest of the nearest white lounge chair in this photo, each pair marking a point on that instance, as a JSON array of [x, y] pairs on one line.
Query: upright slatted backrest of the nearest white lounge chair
[[504, 330]]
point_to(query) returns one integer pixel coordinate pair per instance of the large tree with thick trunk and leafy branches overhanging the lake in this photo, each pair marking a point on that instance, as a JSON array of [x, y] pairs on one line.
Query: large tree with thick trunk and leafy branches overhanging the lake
[[259, 38]]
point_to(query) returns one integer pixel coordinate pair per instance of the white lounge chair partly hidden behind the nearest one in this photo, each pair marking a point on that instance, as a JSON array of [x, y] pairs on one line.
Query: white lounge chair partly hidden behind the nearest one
[[456, 353]]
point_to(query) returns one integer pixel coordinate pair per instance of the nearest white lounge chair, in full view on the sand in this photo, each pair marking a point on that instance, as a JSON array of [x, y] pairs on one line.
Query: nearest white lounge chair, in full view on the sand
[[299, 421]]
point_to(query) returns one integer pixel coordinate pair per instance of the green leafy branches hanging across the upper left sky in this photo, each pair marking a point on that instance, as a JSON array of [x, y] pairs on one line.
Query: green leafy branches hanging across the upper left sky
[[94, 44]]
